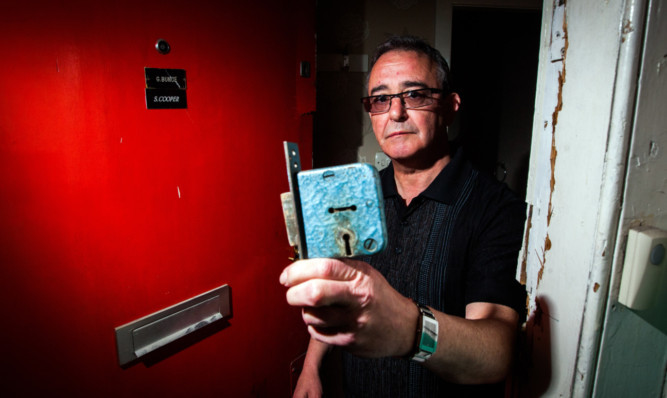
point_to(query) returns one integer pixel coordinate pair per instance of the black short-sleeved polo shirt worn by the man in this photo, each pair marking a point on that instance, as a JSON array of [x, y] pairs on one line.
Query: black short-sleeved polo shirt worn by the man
[[456, 243]]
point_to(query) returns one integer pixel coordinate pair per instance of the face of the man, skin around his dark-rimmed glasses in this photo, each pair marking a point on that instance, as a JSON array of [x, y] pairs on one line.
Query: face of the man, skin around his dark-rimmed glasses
[[404, 134]]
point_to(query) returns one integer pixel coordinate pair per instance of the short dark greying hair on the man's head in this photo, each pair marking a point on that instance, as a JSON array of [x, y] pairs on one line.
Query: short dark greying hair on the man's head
[[420, 46]]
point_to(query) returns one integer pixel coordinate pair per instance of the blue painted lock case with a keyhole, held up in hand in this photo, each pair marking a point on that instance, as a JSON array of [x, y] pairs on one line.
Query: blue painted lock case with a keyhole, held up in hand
[[343, 211]]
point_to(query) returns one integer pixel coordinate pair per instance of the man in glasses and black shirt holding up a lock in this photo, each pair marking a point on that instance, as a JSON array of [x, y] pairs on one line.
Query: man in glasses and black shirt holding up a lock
[[448, 271]]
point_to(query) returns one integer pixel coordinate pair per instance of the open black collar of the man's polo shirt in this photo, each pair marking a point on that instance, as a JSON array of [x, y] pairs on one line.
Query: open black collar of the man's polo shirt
[[445, 187]]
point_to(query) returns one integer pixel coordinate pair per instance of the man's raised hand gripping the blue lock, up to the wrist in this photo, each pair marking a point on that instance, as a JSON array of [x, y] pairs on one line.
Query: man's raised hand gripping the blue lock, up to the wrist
[[348, 303]]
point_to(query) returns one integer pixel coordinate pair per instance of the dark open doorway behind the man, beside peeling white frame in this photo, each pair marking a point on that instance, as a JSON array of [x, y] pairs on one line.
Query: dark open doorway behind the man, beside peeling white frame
[[494, 67]]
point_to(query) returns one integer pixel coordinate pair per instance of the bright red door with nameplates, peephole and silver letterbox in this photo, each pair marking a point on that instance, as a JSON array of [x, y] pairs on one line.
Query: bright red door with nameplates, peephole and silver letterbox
[[94, 233]]
